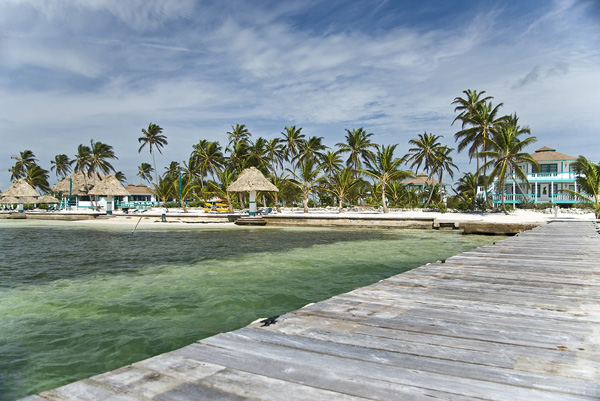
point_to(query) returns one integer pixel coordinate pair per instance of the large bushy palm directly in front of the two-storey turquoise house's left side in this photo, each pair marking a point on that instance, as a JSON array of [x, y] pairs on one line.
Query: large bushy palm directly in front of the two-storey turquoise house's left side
[[505, 150]]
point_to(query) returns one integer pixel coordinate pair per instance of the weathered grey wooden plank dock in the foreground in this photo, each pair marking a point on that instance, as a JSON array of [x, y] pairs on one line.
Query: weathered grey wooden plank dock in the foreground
[[516, 320]]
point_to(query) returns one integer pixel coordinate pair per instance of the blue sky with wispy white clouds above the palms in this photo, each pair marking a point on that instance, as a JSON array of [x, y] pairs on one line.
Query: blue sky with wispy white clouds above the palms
[[75, 70]]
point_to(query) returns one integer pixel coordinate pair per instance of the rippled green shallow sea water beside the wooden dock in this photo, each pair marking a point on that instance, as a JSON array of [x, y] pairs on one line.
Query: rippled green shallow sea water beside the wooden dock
[[77, 300]]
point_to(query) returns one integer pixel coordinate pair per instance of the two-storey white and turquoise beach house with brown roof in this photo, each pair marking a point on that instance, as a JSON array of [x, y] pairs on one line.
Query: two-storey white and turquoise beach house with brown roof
[[544, 186]]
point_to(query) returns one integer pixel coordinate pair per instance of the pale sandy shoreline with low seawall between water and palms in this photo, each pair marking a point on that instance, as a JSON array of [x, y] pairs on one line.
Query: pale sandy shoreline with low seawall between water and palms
[[496, 223]]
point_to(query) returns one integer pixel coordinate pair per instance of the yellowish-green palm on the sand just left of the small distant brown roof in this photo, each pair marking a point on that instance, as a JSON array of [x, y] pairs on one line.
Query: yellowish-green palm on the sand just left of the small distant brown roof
[[385, 168]]
